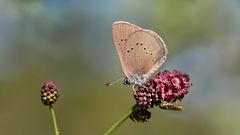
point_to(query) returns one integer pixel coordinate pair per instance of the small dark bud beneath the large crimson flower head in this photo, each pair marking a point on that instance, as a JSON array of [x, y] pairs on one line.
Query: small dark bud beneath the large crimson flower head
[[141, 115]]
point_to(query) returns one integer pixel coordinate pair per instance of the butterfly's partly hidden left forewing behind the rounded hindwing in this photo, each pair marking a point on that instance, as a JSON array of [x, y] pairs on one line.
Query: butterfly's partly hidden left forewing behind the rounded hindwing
[[121, 31]]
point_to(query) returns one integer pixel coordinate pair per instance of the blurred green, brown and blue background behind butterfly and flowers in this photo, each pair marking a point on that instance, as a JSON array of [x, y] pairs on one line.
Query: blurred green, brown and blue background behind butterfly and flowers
[[71, 43]]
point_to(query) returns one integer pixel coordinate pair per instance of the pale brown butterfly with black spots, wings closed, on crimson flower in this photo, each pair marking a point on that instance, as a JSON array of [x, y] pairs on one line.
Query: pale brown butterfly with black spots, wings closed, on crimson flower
[[141, 51]]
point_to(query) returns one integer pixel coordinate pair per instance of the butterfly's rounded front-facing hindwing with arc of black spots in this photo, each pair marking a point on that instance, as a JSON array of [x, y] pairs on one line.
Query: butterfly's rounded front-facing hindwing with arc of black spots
[[143, 54]]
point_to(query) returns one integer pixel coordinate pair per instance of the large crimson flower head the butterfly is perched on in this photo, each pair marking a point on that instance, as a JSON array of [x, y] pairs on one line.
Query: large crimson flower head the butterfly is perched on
[[165, 86]]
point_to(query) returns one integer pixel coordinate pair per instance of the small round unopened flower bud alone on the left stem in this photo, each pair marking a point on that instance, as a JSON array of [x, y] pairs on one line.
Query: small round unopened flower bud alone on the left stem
[[49, 93]]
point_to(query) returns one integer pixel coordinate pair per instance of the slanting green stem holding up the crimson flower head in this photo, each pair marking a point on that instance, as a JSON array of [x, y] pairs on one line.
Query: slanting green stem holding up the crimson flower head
[[121, 120]]
